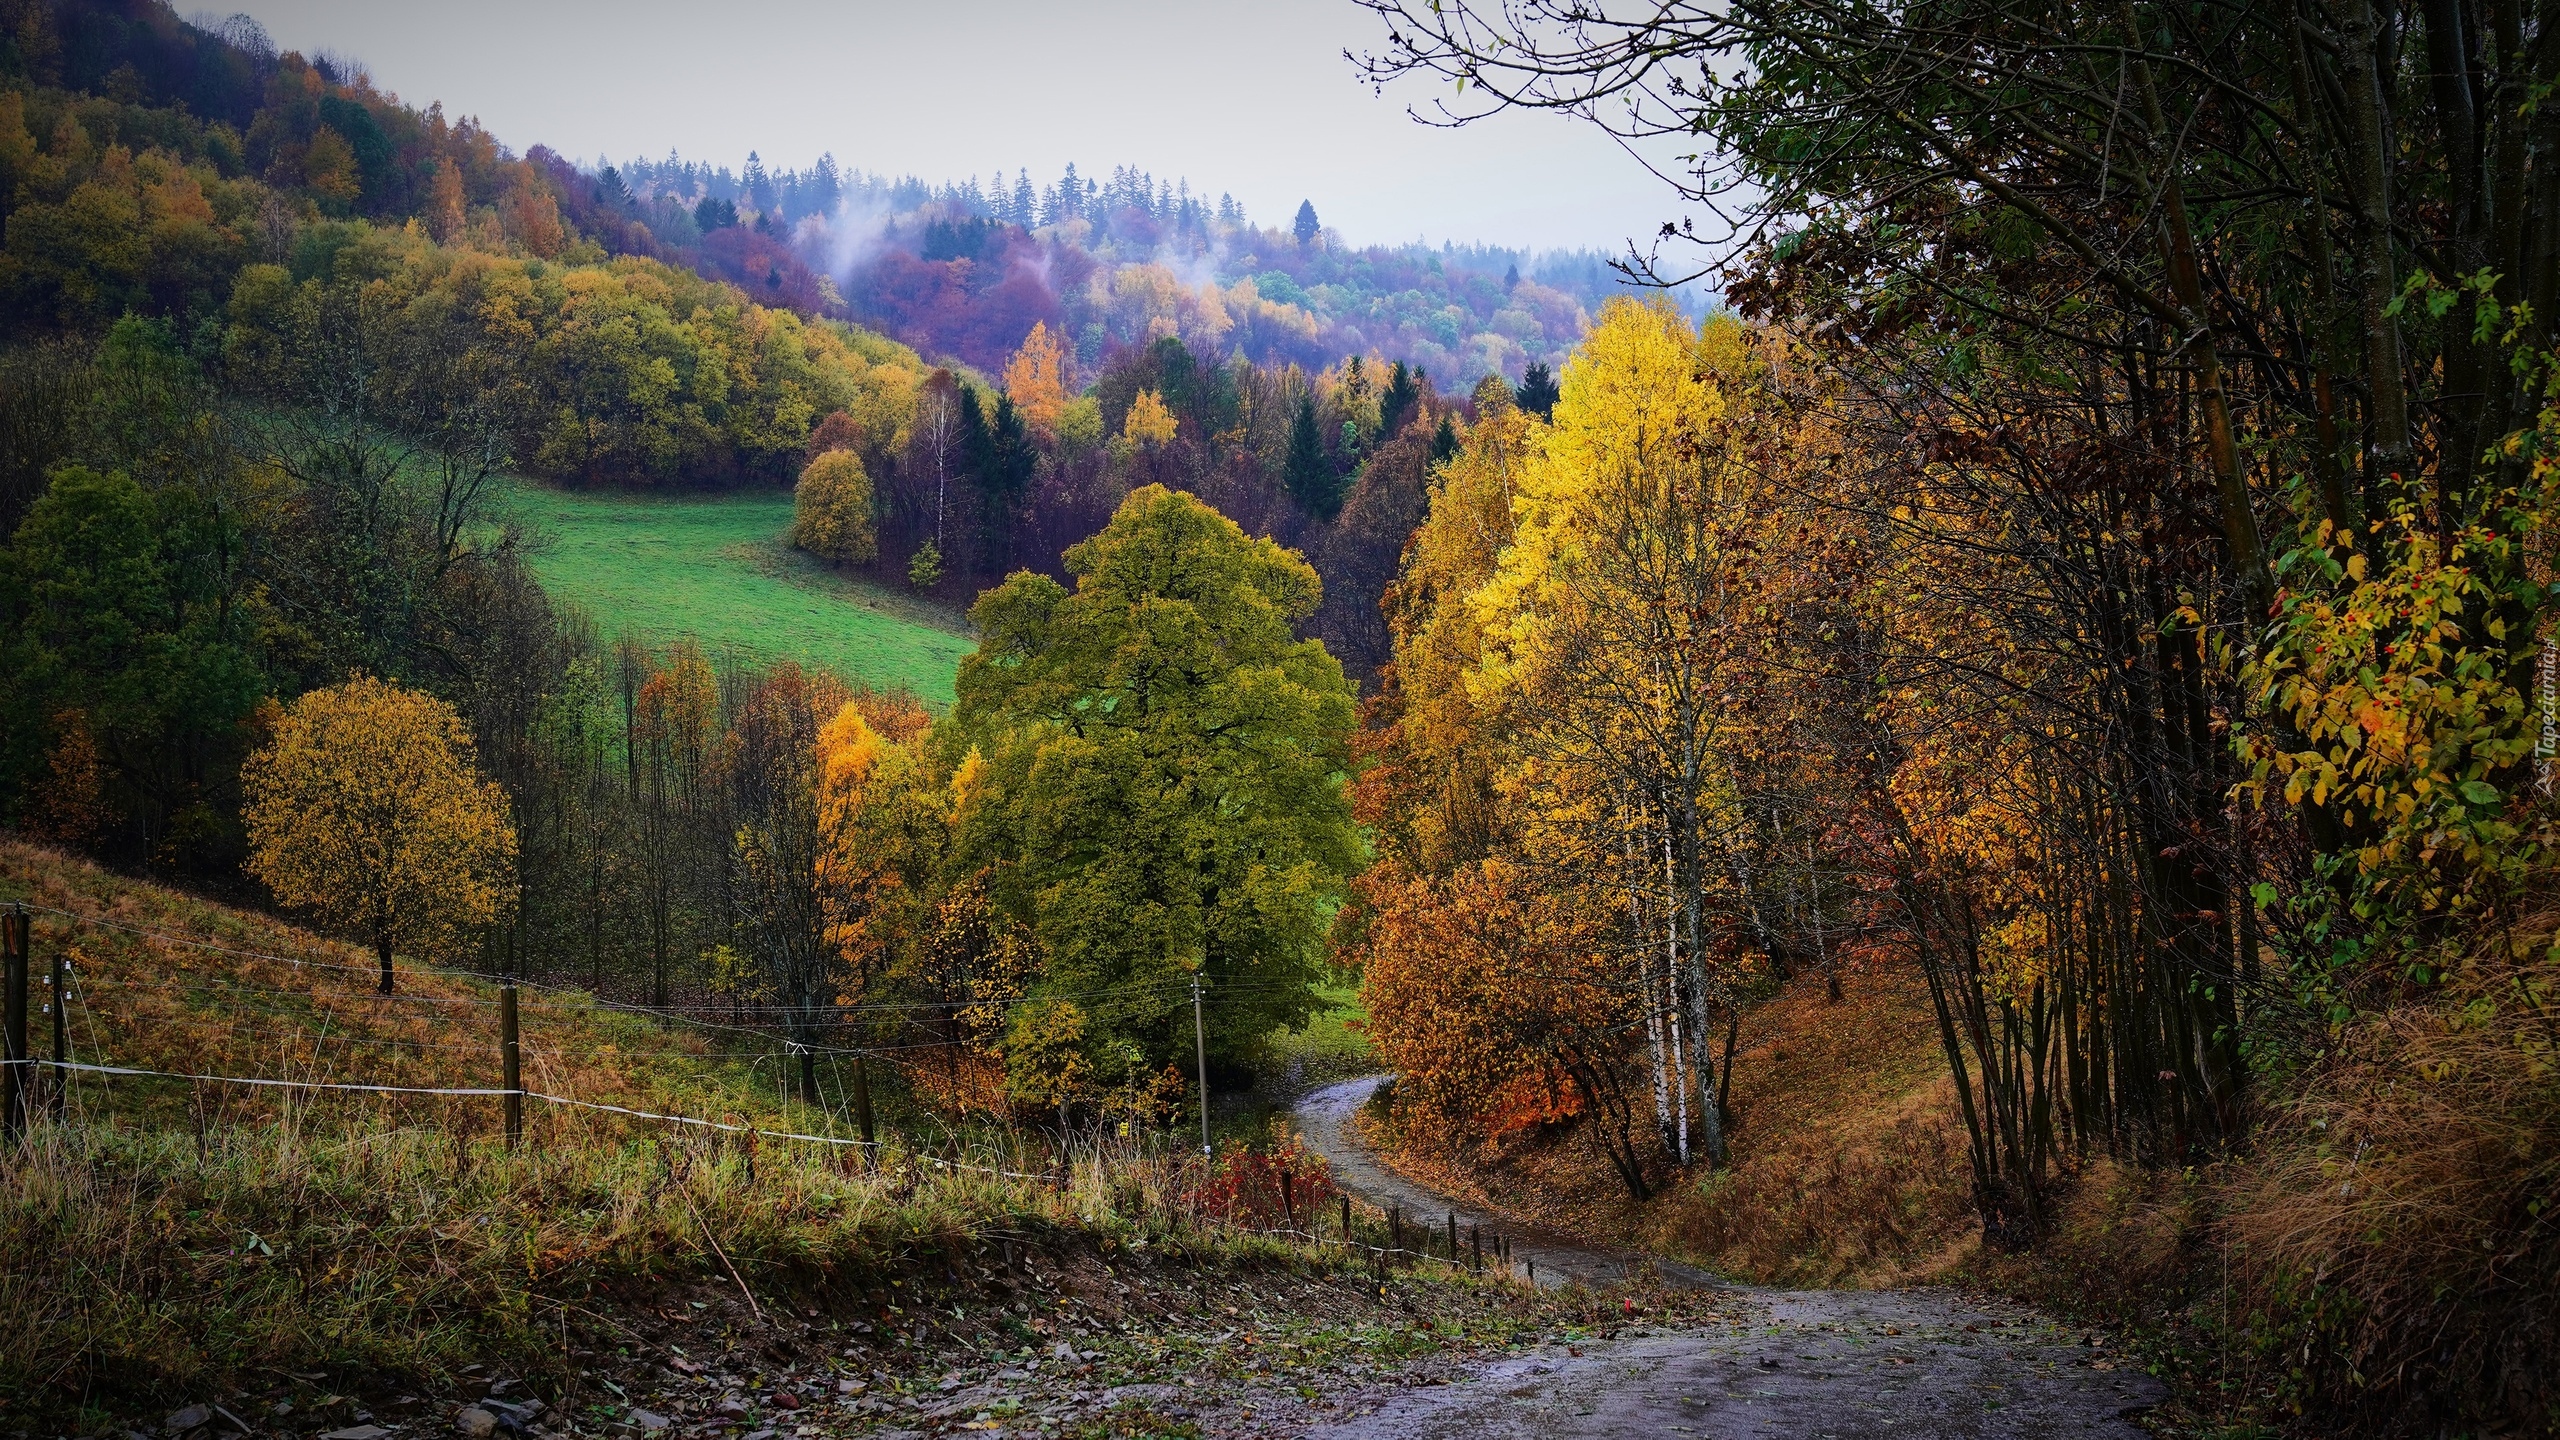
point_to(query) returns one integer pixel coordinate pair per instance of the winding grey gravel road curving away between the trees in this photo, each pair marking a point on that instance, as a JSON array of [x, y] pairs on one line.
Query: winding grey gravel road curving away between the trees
[[1796, 1364]]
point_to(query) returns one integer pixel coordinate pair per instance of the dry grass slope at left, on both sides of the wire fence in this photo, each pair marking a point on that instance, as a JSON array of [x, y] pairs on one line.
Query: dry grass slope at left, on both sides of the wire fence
[[175, 1239]]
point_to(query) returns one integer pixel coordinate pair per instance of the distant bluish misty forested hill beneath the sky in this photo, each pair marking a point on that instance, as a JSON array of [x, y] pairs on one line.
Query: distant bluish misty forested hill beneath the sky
[[1112, 263]]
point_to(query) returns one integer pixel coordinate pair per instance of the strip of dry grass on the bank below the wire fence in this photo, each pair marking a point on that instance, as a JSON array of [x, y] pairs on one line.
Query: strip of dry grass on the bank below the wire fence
[[152, 1264]]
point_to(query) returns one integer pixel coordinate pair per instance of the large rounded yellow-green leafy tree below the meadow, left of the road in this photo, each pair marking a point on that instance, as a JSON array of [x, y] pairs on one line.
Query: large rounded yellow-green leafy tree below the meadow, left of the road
[[1166, 778]]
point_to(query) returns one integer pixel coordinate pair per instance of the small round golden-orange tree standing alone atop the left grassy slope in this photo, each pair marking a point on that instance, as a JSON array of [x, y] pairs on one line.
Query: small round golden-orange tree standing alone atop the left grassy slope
[[367, 811]]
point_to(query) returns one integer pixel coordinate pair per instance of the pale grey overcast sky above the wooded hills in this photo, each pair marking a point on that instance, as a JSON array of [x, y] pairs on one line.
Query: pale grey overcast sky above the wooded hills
[[1243, 96]]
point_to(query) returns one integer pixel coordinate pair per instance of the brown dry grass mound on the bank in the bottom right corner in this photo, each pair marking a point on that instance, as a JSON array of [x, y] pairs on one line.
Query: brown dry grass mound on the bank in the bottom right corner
[[2403, 1239]]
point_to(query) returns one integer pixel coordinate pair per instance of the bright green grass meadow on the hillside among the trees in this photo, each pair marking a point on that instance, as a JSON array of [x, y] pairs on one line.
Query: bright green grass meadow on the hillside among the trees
[[718, 568]]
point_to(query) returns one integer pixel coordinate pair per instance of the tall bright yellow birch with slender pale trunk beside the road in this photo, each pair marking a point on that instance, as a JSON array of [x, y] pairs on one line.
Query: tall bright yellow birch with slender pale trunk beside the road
[[1624, 609]]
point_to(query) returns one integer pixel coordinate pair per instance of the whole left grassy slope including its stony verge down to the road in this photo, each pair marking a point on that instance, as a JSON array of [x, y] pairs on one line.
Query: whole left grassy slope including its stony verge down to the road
[[196, 1244]]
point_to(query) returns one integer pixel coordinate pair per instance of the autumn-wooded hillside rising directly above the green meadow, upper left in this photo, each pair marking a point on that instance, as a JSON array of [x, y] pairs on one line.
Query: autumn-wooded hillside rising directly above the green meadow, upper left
[[255, 206]]
